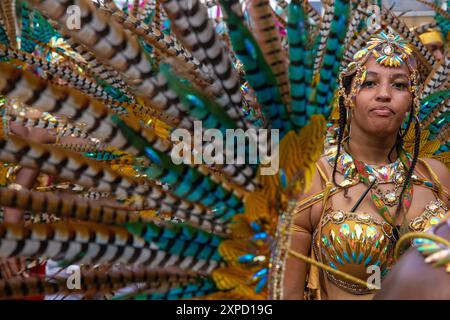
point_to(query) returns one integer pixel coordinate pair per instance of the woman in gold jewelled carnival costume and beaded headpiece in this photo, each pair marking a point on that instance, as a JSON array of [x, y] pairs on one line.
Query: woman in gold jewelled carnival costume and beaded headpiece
[[368, 190]]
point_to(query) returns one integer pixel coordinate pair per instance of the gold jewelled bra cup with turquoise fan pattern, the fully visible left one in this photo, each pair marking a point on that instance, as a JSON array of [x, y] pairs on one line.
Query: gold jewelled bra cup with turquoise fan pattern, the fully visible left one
[[351, 242]]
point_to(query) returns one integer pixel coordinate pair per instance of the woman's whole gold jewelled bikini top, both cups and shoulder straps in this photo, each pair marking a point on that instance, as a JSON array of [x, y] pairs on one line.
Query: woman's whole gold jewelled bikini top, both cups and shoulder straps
[[357, 243]]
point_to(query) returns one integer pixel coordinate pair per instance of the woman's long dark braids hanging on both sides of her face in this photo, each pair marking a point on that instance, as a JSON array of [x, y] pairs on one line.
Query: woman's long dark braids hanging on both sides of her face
[[343, 122]]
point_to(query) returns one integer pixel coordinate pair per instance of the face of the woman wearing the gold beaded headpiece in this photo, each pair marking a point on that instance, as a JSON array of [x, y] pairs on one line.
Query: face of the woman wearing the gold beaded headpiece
[[383, 100]]
